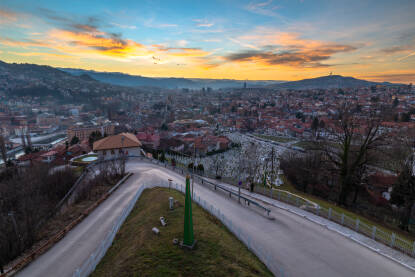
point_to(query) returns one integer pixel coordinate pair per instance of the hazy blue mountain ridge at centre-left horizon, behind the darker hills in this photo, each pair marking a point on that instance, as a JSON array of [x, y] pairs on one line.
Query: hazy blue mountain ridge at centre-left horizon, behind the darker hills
[[122, 79]]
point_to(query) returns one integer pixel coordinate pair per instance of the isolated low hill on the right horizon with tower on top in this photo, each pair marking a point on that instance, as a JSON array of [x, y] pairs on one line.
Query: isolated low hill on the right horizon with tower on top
[[327, 82]]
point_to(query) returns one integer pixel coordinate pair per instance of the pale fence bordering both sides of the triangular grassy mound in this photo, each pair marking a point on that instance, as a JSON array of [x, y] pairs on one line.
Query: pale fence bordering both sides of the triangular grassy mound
[[90, 264]]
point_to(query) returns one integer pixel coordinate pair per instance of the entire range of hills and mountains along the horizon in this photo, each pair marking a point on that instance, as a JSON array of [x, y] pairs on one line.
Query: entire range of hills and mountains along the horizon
[[69, 82]]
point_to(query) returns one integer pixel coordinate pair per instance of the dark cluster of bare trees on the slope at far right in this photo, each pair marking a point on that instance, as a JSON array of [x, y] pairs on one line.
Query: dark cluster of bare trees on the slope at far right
[[343, 154]]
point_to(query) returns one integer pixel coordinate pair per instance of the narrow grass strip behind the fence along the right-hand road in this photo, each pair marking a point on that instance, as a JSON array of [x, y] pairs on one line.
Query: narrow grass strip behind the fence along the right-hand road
[[326, 204]]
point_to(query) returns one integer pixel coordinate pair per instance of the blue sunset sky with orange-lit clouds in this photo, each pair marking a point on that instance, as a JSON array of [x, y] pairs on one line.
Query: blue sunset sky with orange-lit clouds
[[228, 39]]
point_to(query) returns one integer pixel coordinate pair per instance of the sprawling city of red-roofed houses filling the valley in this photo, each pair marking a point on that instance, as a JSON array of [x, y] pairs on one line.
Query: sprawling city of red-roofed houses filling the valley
[[191, 122]]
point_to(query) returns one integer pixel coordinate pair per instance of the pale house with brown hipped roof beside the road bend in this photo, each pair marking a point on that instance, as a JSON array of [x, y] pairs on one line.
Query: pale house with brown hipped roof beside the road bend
[[118, 145]]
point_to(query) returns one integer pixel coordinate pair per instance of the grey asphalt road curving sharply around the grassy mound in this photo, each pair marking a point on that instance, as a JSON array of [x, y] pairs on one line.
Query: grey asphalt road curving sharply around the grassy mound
[[298, 246]]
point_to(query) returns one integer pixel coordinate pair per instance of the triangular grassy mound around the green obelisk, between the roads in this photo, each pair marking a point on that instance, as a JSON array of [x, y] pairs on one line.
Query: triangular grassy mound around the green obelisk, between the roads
[[136, 251]]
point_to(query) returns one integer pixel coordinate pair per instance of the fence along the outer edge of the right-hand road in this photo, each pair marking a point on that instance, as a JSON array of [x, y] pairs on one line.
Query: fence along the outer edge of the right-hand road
[[388, 238]]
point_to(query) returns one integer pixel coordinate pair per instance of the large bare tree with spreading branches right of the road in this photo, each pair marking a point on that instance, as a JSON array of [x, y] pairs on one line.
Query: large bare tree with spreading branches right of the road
[[350, 147]]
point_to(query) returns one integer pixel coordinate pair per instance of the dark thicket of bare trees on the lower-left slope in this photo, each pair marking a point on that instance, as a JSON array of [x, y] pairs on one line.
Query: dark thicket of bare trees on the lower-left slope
[[27, 196]]
